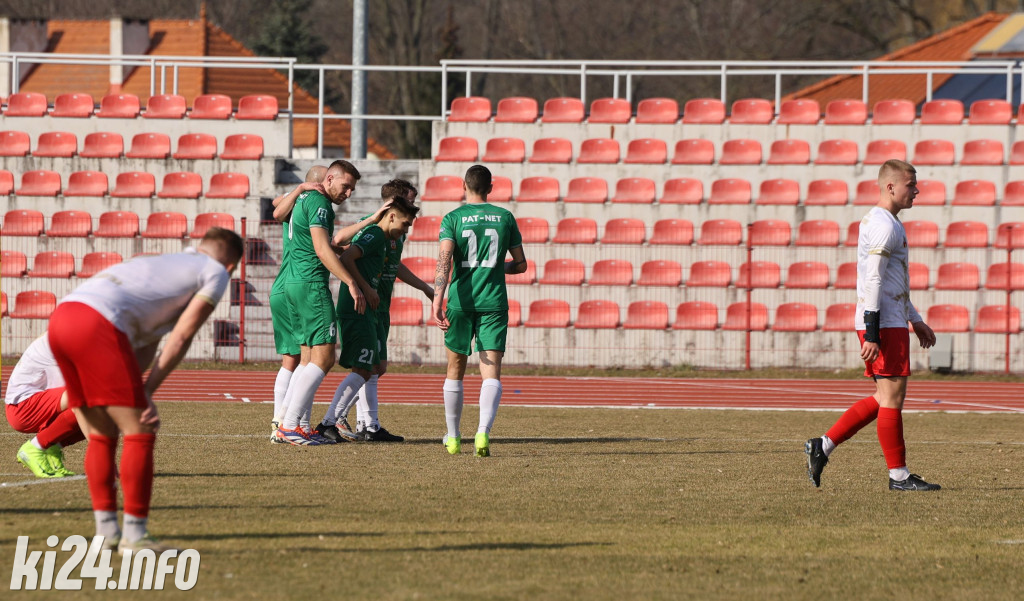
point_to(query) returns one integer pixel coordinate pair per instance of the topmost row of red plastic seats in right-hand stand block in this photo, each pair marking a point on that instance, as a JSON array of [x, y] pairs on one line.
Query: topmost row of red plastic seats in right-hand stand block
[[746, 111]]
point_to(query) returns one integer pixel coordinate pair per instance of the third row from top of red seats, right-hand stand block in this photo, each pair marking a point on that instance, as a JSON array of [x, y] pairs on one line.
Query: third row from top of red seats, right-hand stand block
[[733, 191]]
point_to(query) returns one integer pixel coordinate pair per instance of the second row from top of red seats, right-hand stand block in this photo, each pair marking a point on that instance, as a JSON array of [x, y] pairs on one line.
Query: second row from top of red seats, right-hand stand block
[[736, 152]]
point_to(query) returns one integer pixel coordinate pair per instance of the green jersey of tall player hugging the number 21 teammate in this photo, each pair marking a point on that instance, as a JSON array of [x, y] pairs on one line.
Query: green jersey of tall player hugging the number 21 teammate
[[312, 210]]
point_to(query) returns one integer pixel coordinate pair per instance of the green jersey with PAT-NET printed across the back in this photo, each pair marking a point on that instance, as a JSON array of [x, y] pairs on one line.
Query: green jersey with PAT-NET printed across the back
[[483, 235]]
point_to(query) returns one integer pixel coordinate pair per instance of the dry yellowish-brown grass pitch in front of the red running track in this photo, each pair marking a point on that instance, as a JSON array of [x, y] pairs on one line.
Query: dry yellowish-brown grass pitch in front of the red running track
[[574, 504]]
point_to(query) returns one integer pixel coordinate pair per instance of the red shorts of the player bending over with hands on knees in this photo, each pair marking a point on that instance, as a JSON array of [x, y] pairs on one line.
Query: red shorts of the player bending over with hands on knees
[[96, 359]]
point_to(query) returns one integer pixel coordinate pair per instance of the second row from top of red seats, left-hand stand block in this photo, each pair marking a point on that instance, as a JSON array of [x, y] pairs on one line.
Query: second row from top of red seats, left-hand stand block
[[105, 145]]
